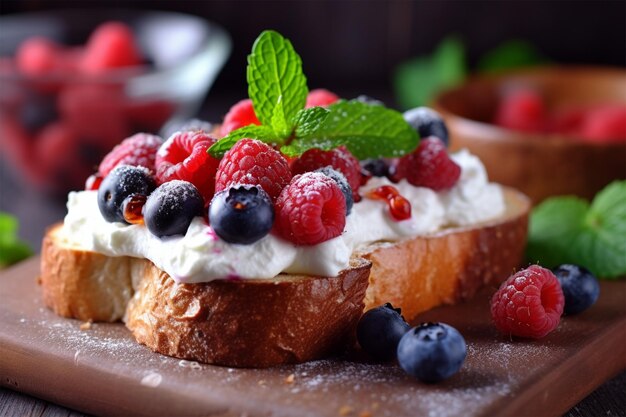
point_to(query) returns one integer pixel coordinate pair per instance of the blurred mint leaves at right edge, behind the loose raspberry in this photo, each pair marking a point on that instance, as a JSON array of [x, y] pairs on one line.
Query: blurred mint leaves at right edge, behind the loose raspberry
[[570, 230]]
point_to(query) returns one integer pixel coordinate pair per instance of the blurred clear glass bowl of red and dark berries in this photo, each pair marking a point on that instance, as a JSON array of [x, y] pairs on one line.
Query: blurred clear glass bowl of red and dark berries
[[75, 83]]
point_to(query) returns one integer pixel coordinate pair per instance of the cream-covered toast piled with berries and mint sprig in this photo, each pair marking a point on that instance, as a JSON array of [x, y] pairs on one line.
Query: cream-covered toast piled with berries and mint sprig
[[266, 245]]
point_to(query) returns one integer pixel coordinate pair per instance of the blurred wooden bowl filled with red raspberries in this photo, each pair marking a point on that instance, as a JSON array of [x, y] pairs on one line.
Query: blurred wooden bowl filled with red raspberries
[[546, 131]]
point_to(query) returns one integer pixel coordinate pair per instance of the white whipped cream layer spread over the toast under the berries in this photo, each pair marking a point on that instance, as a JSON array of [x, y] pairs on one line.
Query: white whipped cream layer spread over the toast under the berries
[[200, 256]]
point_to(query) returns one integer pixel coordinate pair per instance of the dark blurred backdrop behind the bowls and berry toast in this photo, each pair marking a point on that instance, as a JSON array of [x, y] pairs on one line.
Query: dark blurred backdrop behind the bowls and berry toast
[[352, 48]]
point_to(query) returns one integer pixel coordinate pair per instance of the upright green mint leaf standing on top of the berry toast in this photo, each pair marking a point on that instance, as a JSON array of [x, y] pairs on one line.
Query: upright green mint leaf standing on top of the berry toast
[[275, 79]]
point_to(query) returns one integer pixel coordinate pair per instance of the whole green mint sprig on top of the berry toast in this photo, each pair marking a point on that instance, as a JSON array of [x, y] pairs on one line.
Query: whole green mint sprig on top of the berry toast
[[278, 90]]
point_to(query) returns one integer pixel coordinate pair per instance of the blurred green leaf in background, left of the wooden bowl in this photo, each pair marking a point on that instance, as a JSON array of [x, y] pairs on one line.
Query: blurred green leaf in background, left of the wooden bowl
[[417, 81]]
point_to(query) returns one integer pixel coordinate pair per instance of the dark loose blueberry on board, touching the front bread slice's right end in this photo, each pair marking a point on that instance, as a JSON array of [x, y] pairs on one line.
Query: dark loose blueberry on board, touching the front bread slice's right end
[[379, 331]]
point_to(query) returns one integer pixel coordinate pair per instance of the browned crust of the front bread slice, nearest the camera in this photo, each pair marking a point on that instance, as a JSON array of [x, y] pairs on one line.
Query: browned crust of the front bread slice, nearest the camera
[[254, 323]]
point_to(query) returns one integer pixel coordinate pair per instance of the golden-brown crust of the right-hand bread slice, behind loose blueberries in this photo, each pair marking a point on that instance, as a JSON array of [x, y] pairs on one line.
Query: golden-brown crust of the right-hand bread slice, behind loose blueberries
[[420, 273]]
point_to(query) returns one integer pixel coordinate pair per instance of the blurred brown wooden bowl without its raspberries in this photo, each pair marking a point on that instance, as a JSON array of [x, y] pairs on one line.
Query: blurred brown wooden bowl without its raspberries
[[538, 164]]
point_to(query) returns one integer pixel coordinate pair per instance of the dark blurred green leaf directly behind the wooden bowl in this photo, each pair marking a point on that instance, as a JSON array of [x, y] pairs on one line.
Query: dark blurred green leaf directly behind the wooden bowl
[[509, 55]]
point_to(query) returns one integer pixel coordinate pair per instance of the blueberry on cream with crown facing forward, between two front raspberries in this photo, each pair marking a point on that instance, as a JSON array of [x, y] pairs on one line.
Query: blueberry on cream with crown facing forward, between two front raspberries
[[241, 214]]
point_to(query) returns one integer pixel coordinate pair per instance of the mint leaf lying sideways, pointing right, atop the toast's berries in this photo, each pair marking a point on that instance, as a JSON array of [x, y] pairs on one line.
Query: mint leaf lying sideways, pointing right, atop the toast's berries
[[368, 131]]
